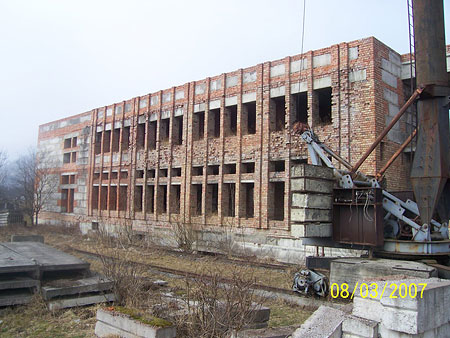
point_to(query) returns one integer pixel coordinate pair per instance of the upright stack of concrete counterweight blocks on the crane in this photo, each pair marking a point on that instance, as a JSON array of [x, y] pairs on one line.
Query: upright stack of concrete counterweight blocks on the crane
[[312, 200]]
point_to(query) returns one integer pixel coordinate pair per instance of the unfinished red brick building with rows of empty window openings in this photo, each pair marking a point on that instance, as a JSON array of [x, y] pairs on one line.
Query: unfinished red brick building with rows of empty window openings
[[218, 152]]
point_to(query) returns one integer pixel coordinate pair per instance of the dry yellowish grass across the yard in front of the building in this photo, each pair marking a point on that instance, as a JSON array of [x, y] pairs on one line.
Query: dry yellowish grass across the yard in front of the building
[[25, 321]]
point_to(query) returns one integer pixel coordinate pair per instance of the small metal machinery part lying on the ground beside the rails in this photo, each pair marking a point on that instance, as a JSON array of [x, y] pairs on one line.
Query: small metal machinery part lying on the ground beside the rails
[[310, 281]]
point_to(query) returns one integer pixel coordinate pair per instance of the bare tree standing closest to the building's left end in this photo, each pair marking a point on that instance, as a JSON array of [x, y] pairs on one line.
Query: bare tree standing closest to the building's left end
[[36, 182]]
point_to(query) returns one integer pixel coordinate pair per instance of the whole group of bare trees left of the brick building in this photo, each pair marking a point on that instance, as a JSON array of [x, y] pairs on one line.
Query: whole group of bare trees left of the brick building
[[26, 184]]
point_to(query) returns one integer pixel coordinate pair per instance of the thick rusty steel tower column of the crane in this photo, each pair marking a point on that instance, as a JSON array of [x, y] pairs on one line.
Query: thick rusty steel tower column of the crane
[[431, 165]]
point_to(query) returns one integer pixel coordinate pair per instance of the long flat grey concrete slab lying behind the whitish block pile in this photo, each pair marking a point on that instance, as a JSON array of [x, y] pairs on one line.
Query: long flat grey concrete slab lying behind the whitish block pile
[[353, 270]]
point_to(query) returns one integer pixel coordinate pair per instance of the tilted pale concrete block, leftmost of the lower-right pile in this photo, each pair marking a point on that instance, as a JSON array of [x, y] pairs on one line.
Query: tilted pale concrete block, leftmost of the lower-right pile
[[324, 322]]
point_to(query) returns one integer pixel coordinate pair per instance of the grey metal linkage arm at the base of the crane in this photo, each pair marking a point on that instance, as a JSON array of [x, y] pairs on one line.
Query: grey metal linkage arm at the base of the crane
[[399, 214]]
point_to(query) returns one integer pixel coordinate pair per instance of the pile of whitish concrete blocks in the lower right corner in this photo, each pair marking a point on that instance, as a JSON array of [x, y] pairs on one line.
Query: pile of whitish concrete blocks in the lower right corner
[[391, 314]]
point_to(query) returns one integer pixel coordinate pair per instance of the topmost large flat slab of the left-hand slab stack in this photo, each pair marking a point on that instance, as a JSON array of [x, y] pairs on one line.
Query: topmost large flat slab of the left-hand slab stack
[[47, 257]]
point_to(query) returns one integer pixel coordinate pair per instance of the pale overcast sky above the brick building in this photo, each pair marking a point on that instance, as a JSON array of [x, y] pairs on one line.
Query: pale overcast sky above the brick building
[[59, 57]]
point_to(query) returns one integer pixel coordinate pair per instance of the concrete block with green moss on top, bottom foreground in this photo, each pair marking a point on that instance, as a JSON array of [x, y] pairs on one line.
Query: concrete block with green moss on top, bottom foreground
[[134, 328]]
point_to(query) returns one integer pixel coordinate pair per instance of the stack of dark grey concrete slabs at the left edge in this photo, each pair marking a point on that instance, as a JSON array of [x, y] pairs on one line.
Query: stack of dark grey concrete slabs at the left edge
[[64, 280]]
